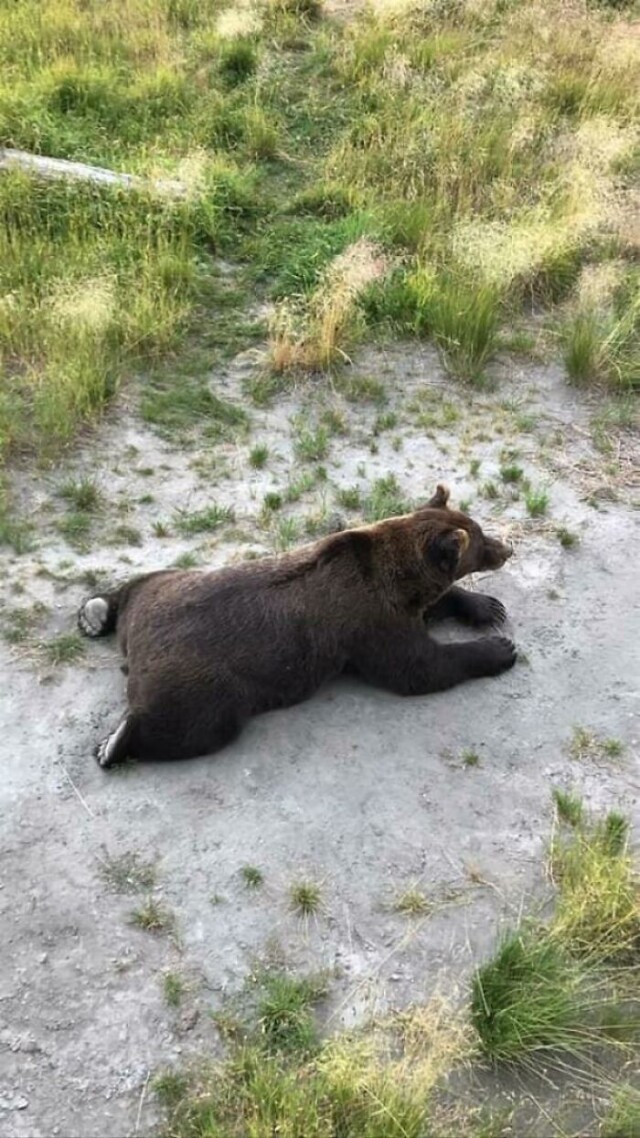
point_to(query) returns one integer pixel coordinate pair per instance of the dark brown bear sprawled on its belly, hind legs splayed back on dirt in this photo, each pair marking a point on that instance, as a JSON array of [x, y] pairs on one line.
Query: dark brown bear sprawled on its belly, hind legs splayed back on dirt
[[206, 652]]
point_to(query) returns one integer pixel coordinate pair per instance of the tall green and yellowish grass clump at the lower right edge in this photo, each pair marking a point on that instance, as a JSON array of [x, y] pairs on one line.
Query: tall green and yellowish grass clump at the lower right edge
[[556, 989]]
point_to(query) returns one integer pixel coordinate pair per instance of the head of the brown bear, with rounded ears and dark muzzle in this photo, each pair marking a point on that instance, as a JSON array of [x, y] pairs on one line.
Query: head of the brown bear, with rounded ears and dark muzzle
[[454, 545]]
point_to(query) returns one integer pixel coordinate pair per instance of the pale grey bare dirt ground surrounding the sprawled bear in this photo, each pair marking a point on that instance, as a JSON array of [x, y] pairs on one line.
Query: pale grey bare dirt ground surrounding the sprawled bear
[[364, 793]]
